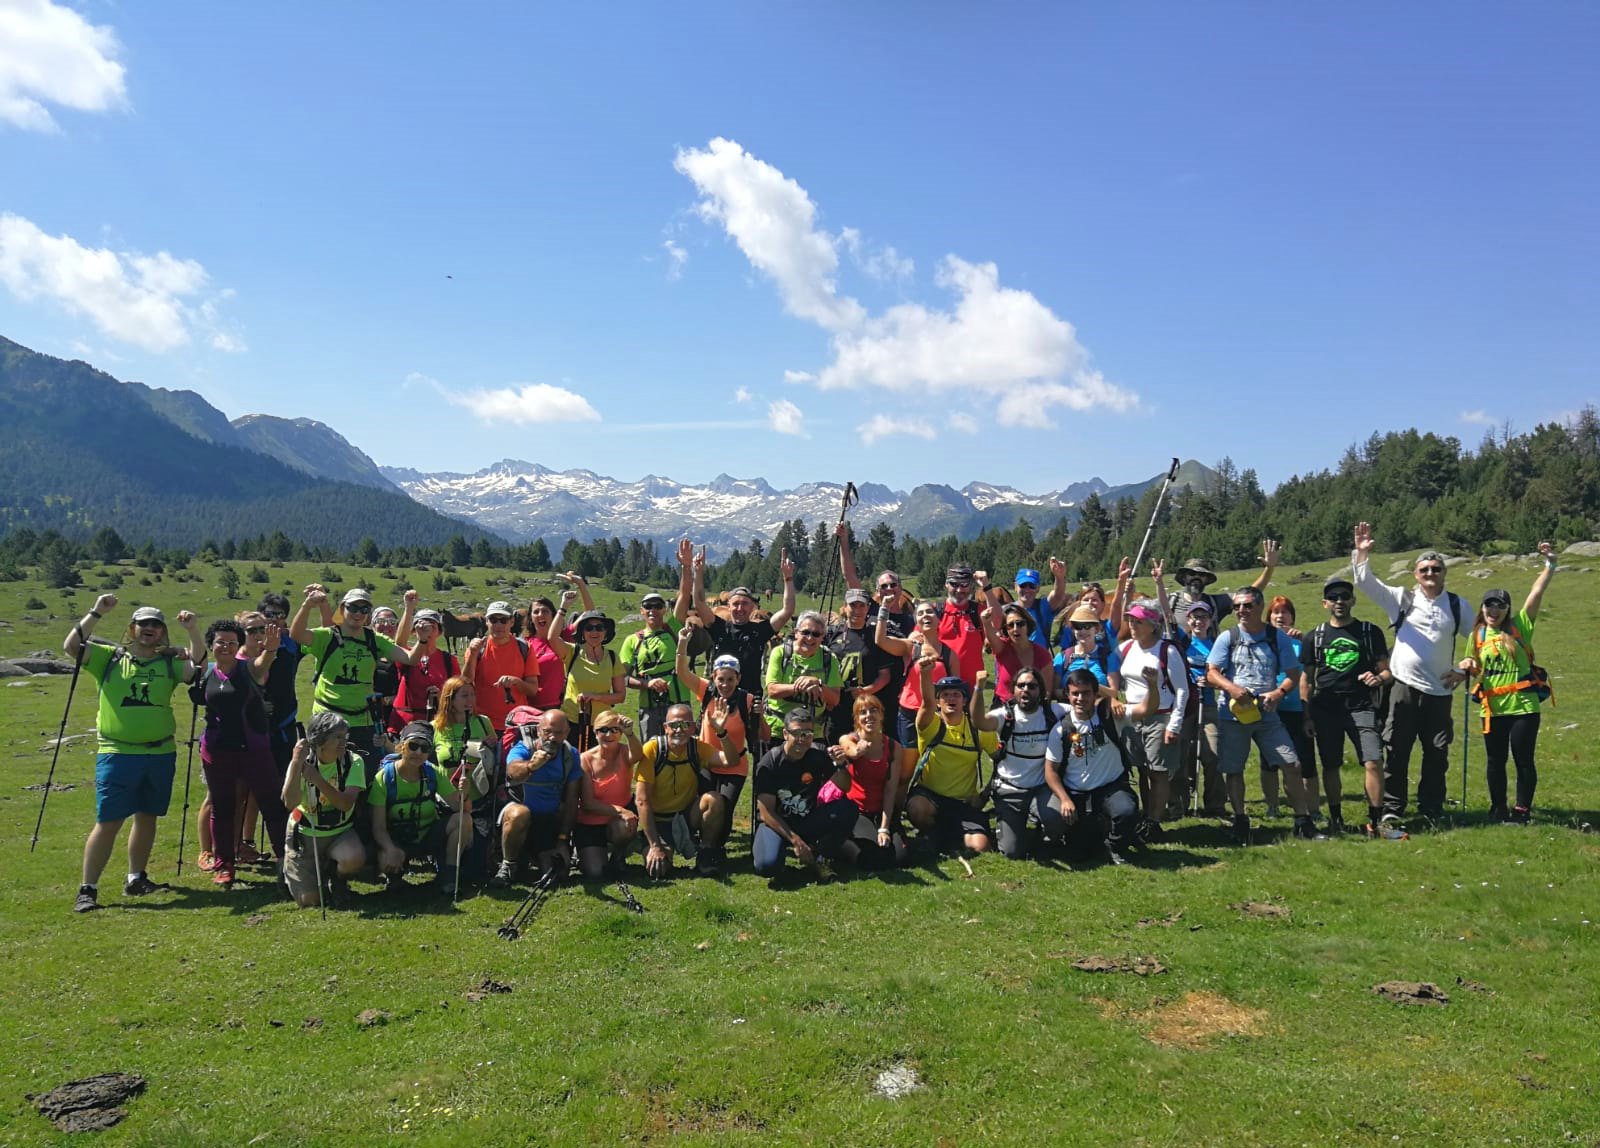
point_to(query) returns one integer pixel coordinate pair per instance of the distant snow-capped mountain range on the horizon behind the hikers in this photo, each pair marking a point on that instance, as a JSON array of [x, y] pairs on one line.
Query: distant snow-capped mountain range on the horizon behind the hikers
[[526, 501]]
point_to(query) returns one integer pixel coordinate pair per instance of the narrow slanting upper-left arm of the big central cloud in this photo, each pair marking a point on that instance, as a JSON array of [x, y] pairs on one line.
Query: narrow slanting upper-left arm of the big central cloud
[[772, 220]]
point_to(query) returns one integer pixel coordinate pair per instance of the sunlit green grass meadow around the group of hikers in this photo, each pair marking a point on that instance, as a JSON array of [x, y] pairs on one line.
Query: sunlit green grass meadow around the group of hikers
[[734, 1013]]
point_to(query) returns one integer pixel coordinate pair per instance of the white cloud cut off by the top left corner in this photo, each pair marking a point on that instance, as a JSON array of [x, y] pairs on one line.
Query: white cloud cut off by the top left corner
[[50, 55]]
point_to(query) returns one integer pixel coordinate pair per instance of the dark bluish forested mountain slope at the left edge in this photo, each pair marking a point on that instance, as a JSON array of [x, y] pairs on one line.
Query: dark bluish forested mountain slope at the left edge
[[86, 452]]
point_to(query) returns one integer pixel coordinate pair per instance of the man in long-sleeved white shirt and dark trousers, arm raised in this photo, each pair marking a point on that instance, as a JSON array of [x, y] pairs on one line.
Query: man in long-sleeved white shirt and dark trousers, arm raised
[[1426, 623]]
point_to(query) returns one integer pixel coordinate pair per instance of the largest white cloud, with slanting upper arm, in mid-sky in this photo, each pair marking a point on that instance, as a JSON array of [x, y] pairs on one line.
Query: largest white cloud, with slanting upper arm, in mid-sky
[[993, 345]]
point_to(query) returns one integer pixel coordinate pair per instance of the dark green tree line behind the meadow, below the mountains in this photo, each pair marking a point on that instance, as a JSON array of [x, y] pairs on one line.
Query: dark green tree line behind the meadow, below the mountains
[[1417, 490]]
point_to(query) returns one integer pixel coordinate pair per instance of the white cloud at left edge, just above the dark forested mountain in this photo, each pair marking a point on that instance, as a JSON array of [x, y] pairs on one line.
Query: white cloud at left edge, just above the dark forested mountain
[[132, 298]]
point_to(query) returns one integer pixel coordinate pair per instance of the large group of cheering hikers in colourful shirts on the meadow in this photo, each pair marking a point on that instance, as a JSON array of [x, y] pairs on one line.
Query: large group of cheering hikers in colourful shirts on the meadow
[[863, 736]]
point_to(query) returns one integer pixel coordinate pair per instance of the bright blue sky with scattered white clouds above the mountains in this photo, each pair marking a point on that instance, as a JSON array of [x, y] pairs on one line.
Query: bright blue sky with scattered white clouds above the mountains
[[922, 231]]
